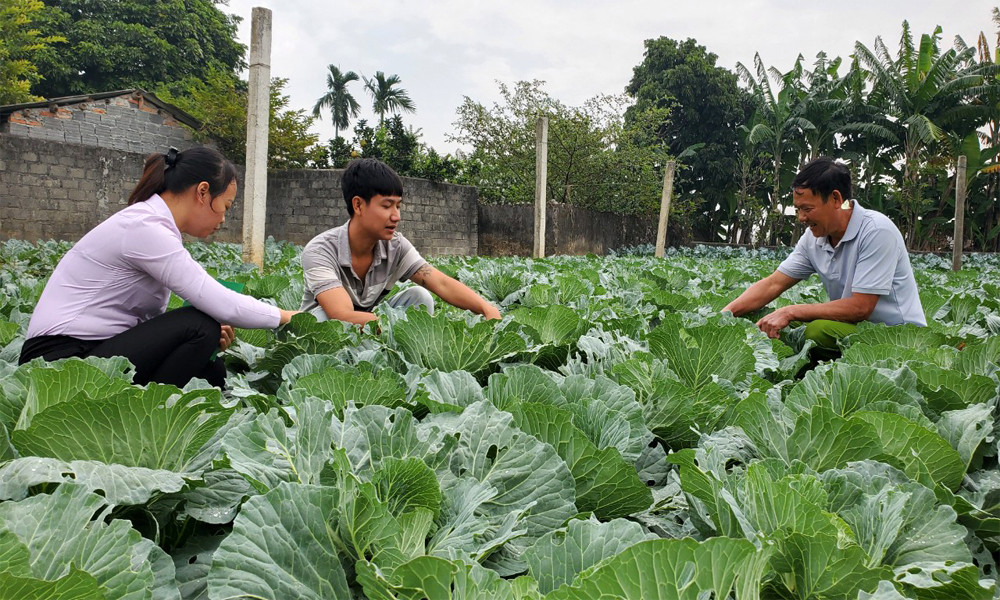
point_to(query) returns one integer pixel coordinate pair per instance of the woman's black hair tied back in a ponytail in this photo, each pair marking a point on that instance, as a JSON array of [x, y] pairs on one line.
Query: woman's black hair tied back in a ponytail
[[177, 171]]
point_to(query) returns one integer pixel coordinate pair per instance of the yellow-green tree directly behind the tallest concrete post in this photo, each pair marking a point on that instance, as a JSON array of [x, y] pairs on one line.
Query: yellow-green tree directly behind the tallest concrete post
[[220, 103]]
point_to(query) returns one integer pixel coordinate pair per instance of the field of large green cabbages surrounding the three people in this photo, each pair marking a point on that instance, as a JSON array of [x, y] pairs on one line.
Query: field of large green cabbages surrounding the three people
[[613, 437]]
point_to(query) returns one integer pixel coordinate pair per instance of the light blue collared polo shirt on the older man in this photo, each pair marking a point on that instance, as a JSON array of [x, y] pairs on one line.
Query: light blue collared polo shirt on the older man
[[870, 259]]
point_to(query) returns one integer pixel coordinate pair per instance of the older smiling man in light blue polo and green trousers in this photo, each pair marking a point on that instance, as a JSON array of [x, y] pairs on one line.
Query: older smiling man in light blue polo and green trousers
[[858, 254]]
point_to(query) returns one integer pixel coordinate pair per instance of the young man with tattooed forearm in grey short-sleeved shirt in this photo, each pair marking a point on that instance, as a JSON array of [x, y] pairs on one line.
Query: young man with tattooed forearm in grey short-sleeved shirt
[[351, 268]]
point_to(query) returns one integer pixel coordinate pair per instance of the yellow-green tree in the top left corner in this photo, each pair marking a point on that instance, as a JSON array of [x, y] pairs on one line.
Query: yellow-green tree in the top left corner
[[20, 43]]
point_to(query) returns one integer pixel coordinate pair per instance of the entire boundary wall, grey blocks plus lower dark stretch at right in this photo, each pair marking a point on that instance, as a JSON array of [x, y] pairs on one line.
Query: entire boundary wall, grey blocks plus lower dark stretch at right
[[54, 190]]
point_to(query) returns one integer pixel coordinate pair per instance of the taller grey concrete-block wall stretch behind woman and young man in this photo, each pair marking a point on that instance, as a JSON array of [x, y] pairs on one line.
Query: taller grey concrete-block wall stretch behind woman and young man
[[53, 190]]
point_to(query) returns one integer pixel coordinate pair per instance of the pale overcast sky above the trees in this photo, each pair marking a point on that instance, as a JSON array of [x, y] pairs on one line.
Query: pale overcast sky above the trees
[[447, 49]]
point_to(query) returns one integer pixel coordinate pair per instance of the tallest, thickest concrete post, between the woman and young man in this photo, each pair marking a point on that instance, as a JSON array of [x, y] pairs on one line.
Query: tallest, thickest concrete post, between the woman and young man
[[258, 113]]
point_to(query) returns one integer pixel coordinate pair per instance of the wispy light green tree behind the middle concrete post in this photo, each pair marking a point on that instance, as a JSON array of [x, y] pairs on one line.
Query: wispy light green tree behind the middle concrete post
[[592, 158]]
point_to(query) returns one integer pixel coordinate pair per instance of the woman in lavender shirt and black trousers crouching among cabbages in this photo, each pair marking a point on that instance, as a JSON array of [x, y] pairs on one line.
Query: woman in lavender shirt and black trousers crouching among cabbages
[[108, 295]]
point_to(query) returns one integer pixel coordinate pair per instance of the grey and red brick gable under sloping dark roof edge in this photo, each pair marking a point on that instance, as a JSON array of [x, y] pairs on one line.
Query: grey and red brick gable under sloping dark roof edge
[[131, 120]]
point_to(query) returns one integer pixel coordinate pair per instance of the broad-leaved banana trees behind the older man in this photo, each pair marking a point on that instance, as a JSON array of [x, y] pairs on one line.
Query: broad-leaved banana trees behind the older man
[[900, 118]]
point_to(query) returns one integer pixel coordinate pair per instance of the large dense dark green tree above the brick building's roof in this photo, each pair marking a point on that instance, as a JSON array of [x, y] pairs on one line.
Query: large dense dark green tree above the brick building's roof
[[118, 44]]
